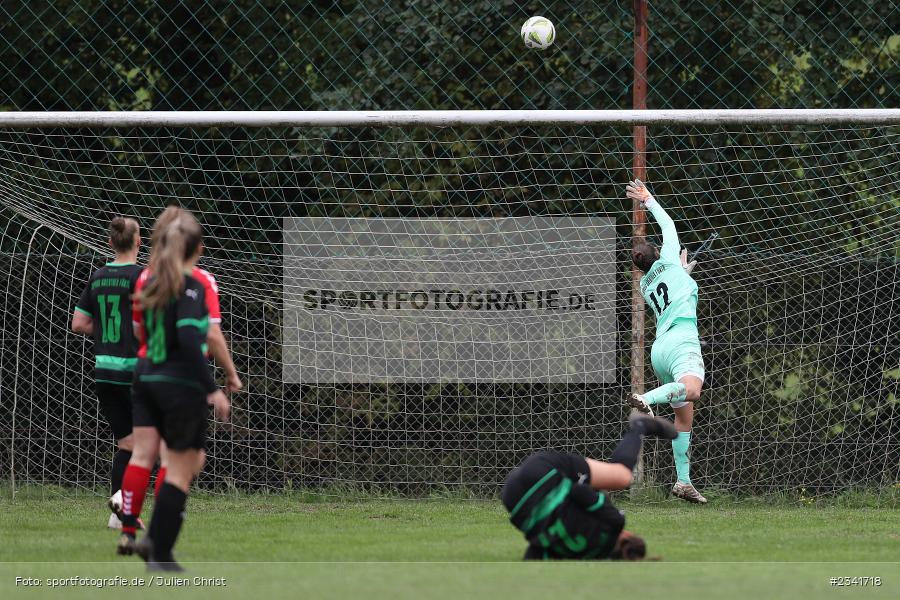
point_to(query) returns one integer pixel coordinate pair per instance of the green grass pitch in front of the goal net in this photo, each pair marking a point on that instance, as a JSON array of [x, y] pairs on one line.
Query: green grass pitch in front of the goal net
[[277, 546]]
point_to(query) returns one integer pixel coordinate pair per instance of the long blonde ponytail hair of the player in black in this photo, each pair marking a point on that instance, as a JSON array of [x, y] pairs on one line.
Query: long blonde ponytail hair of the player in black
[[176, 237]]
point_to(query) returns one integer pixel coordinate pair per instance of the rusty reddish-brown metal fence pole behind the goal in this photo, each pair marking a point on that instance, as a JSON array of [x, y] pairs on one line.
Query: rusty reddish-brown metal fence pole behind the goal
[[639, 171]]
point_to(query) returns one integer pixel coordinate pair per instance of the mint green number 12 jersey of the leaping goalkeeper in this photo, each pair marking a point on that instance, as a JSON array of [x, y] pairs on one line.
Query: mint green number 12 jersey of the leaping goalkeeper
[[667, 288]]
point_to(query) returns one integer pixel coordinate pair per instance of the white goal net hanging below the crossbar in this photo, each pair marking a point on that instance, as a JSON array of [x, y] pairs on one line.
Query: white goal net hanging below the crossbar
[[416, 309]]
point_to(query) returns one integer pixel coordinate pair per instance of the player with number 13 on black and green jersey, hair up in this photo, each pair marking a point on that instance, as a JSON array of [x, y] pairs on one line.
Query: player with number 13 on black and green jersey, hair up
[[104, 312]]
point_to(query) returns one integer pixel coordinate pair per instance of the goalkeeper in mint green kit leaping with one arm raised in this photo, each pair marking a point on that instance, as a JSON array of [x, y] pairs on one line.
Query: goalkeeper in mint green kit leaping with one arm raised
[[671, 293]]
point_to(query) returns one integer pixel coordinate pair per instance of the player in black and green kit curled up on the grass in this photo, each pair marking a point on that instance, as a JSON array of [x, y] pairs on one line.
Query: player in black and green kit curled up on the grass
[[554, 499]]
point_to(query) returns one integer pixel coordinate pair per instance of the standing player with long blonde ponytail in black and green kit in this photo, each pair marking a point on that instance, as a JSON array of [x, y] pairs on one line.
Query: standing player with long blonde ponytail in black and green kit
[[173, 387]]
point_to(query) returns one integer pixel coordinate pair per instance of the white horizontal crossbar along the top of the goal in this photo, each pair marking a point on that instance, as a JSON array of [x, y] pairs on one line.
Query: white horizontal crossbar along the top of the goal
[[449, 118]]
